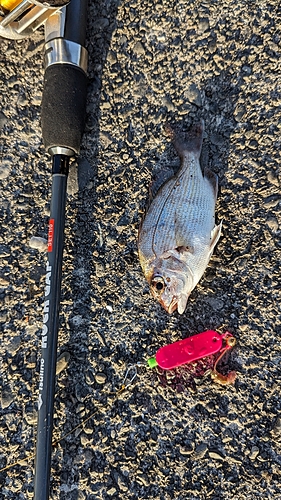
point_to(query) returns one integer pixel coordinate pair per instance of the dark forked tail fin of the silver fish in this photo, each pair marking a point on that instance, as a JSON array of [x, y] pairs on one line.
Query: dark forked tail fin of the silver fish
[[186, 142]]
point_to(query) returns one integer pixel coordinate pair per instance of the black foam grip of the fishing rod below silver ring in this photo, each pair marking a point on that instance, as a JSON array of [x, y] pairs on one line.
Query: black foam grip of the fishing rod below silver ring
[[63, 107]]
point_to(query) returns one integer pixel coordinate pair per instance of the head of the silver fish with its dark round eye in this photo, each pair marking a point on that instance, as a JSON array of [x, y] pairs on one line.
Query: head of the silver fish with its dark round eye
[[171, 288]]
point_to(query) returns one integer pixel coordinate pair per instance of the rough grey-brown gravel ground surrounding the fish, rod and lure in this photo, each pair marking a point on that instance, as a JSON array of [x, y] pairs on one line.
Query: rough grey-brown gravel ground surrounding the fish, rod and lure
[[163, 437]]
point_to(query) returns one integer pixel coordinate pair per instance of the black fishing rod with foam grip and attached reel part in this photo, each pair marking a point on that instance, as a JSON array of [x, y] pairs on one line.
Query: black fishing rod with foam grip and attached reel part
[[62, 117]]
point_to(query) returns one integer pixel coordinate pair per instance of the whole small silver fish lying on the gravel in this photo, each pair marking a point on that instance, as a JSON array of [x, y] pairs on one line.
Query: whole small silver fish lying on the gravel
[[178, 234]]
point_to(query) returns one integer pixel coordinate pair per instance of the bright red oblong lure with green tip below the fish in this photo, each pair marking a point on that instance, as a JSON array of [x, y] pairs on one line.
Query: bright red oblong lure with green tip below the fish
[[193, 348]]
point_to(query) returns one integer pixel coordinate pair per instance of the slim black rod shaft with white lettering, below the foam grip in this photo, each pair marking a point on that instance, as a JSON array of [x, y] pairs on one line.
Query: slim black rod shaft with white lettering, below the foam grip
[[50, 328]]
